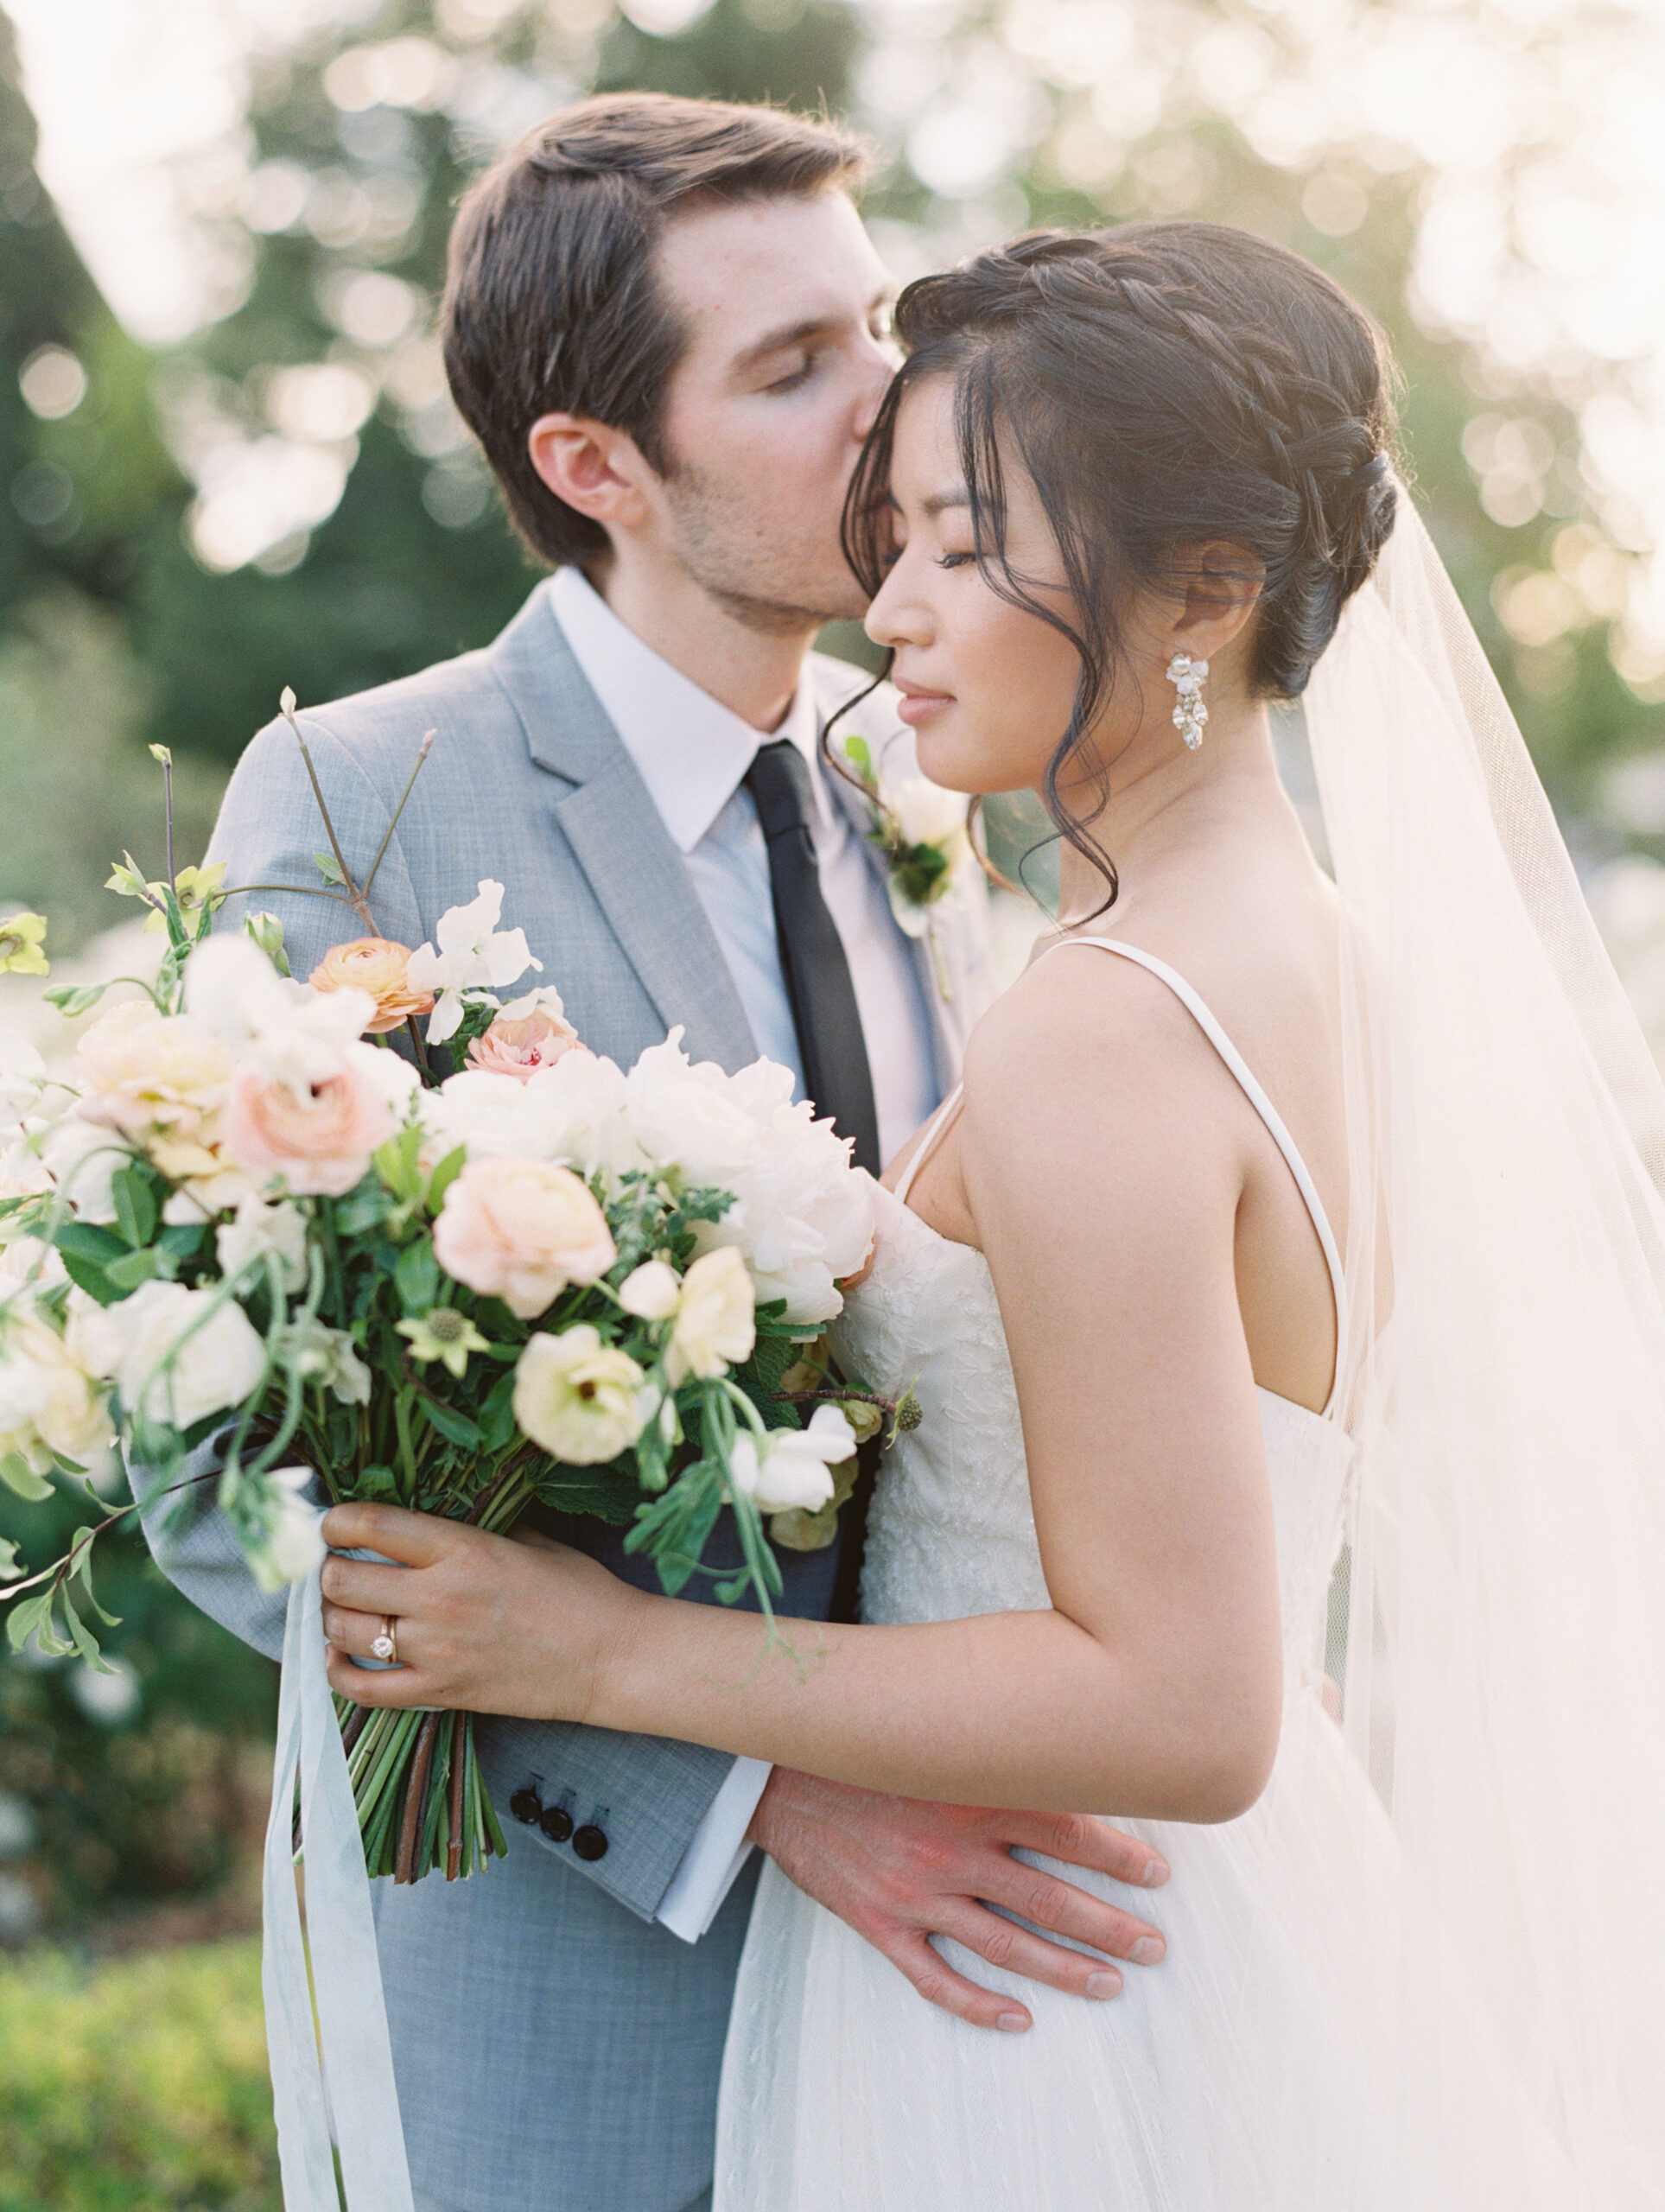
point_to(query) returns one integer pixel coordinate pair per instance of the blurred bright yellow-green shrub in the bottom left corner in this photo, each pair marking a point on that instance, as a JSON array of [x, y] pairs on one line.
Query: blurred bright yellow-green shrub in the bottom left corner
[[136, 2085]]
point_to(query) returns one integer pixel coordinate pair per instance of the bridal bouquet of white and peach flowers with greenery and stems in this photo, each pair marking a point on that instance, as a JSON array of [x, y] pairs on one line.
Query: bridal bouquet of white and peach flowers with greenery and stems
[[244, 1220]]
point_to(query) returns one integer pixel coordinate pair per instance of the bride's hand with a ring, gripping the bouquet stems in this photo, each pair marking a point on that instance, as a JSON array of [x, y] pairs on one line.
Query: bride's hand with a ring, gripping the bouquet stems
[[481, 1623]]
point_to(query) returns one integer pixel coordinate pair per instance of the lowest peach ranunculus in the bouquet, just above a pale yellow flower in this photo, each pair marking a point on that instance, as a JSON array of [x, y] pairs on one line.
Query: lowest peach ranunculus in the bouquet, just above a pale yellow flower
[[523, 1231]]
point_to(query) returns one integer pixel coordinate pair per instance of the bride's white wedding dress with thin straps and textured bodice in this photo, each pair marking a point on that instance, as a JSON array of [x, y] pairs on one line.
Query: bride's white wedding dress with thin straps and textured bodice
[[1257, 2067]]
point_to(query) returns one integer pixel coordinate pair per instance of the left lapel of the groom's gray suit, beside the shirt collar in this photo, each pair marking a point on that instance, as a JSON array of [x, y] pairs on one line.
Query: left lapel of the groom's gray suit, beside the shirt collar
[[620, 842]]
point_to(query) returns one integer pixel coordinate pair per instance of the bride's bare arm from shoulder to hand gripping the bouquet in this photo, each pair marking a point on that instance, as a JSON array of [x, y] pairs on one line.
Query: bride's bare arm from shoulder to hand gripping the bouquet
[[1104, 1198]]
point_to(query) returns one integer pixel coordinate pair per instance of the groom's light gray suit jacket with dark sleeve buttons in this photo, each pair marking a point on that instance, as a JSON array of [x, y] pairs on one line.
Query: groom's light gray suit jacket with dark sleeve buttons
[[554, 2045]]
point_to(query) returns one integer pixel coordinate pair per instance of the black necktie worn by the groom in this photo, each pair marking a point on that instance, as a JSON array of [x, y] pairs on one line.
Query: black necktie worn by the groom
[[813, 954]]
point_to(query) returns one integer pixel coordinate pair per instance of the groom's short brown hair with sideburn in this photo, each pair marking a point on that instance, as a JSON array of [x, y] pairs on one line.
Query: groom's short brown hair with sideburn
[[554, 302]]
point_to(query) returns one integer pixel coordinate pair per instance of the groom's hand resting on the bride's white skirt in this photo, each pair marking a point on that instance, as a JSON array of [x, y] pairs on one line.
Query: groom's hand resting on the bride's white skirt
[[903, 1872]]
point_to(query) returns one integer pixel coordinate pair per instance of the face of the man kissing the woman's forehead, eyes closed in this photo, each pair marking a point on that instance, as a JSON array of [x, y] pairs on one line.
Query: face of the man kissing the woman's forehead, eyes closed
[[786, 309]]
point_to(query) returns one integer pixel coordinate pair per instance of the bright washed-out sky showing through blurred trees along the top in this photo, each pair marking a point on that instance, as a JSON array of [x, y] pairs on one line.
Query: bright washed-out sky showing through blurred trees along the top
[[1544, 123]]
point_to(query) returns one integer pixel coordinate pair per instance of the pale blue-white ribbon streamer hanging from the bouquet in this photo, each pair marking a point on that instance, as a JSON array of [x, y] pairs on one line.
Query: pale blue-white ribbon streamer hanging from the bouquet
[[346, 1968]]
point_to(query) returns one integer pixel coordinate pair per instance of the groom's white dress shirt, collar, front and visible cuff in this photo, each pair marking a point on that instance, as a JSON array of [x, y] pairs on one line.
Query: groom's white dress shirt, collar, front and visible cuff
[[693, 755]]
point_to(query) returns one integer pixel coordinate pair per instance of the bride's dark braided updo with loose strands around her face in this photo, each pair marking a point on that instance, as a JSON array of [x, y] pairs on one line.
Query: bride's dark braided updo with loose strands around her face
[[1166, 386]]
